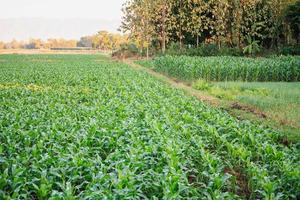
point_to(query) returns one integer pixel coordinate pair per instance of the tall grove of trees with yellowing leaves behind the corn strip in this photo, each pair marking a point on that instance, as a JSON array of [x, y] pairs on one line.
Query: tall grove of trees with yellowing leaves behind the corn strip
[[234, 23]]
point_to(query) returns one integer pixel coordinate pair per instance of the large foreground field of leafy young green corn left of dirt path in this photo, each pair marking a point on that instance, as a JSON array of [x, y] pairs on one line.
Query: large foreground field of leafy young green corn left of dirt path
[[87, 127]]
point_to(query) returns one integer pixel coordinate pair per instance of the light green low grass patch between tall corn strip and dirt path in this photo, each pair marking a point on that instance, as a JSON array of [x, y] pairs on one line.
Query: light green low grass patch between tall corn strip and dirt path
[[280, 101]]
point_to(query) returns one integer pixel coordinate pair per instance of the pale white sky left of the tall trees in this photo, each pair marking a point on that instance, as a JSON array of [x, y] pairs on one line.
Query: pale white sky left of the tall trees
[[70, 19]]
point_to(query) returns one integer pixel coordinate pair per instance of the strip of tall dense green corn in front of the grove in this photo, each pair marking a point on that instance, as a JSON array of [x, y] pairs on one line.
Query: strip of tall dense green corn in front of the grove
[[230, 68]]
